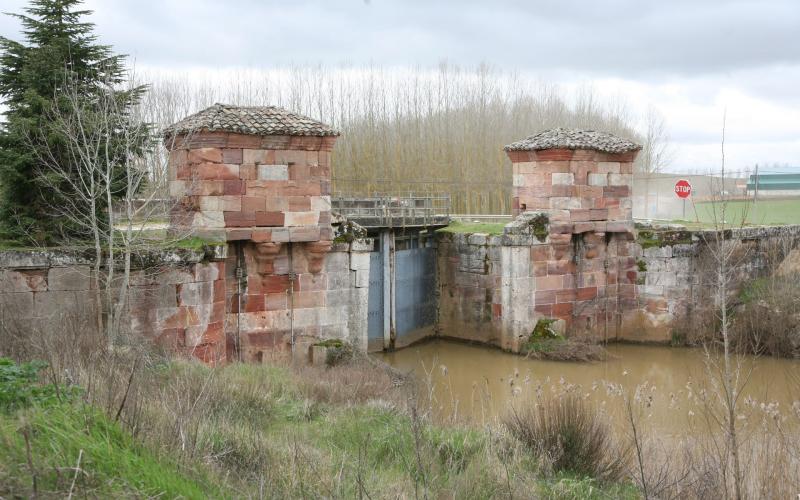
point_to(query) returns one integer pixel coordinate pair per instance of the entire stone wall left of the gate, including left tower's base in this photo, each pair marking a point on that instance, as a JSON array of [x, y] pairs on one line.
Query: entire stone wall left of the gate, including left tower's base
[[189, 300]]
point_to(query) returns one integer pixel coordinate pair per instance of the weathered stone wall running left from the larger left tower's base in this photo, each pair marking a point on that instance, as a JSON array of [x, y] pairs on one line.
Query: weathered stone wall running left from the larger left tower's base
[[179, 304]]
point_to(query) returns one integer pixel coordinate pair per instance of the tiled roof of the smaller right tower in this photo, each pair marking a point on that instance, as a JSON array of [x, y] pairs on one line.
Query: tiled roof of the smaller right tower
[[563, 138]]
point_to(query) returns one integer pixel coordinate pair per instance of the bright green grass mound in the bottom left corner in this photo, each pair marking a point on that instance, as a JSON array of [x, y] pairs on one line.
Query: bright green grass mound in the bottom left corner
[[111, 464]]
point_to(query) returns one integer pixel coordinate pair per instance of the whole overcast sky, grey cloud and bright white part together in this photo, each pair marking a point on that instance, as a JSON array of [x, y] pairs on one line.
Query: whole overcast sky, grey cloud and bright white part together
[[691, 59]]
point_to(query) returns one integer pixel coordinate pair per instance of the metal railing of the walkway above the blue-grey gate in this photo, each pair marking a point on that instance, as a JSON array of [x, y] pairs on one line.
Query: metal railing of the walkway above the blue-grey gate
[[403, 210]]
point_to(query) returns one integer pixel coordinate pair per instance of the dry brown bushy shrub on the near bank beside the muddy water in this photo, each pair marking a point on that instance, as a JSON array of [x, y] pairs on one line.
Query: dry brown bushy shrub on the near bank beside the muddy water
[[567, 434]]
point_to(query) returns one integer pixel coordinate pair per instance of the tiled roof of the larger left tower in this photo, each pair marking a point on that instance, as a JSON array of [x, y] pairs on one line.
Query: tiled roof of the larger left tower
[[250, 120]]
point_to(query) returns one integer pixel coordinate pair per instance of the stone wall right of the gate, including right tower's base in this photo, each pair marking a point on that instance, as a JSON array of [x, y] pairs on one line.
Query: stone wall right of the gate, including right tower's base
[[491, 293]]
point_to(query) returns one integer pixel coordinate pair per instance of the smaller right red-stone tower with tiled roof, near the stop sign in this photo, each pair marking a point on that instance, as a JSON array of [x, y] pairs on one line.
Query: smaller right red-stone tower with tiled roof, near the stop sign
[[576, 185]]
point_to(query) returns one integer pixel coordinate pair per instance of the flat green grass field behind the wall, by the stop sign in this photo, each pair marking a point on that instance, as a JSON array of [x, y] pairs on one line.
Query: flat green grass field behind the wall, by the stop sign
[[765, 212]]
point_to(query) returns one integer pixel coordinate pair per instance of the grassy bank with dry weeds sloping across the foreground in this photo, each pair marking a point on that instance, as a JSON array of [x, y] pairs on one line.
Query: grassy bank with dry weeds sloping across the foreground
[[269, 430]]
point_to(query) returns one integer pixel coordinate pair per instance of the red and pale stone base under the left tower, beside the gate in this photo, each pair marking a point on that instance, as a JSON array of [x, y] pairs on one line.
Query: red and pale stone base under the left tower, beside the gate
[[325, 300]]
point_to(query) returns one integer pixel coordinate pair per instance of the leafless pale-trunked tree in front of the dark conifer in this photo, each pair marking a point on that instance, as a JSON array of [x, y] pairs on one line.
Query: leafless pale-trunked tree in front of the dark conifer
[[109, 192]]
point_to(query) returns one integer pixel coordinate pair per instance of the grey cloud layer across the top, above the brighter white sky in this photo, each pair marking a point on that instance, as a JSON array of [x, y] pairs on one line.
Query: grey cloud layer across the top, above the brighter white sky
[[640, 39]]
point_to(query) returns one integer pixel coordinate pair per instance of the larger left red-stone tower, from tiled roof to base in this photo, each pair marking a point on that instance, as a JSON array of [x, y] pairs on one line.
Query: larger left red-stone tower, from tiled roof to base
[[259, 179]]
